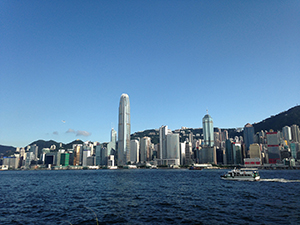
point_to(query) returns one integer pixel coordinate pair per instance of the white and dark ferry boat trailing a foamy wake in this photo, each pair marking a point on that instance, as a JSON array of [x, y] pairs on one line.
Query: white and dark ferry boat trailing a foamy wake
[[242, 174]]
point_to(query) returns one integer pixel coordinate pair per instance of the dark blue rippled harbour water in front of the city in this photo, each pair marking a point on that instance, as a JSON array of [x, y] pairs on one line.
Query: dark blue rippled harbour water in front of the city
[[147, 197]]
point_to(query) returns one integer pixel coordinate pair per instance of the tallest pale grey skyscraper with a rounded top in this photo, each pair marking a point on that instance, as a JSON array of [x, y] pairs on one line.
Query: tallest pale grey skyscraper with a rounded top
[[124, 131]]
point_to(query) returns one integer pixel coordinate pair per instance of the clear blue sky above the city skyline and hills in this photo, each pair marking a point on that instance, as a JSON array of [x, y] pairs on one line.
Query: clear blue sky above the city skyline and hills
[[65, 64]]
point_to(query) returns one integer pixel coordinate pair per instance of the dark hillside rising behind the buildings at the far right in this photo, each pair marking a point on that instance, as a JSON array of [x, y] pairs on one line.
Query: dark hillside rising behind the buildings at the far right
[[277, 122]]
